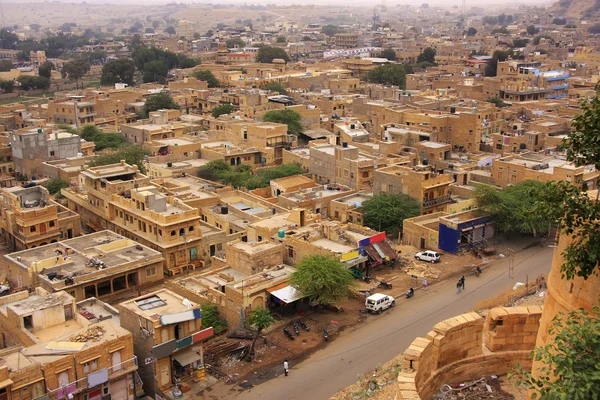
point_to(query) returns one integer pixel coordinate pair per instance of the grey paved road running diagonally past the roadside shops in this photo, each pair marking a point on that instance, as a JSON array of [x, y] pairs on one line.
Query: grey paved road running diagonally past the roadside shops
[[383, 337]]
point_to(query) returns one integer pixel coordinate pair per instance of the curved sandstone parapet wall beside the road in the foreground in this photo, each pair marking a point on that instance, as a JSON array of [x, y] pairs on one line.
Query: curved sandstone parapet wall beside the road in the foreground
[[467, 347]]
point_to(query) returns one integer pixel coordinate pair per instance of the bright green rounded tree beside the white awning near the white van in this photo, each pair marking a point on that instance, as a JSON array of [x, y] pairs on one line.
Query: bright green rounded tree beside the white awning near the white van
[[322, 278]]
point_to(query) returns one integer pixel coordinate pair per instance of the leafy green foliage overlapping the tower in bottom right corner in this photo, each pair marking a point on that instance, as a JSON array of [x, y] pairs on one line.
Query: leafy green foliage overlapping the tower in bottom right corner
[[572, 359]]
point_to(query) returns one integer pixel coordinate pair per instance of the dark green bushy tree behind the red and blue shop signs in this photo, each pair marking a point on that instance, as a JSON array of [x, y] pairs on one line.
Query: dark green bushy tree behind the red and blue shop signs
[[387, 212]]
